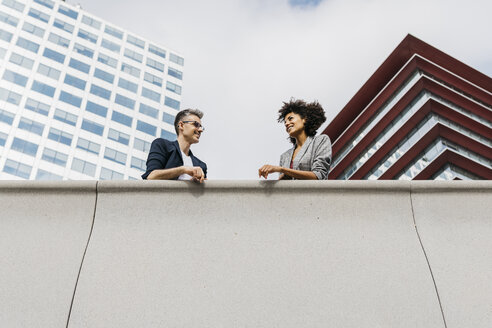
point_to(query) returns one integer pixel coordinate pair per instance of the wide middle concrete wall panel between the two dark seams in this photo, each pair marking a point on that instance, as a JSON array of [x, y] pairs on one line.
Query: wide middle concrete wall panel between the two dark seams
[[250, 254]]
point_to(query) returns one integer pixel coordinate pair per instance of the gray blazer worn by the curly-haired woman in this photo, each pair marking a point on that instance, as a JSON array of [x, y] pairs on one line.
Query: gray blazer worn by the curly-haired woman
[[315, 156]]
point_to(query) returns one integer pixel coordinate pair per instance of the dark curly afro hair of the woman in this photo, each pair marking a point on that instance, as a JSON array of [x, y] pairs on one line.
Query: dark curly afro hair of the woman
[[312, 112]]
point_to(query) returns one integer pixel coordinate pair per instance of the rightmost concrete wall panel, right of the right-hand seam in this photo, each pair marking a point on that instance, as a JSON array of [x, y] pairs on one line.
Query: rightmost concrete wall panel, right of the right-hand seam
[[455, 226]]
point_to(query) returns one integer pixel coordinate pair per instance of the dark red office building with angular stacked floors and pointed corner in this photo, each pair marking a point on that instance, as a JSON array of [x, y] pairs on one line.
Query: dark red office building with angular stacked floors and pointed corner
[[422, 115]]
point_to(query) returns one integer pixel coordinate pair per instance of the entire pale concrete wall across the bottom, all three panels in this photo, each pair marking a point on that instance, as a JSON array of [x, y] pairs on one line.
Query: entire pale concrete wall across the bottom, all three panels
[[246, 254]]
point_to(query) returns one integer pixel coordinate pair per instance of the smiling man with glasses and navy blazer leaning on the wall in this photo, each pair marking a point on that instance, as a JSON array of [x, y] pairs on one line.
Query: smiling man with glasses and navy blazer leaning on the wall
[[173, 160]]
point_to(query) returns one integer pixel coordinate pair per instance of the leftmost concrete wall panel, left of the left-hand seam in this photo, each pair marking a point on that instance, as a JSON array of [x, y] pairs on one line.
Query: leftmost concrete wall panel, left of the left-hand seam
[[44, 229]]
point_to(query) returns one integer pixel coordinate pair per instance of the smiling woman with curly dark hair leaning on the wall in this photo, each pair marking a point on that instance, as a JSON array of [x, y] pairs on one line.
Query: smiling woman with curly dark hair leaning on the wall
[[310, 157]]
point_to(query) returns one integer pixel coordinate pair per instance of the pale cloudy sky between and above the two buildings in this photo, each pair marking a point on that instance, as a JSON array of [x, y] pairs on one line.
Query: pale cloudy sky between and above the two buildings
[[243, 58]]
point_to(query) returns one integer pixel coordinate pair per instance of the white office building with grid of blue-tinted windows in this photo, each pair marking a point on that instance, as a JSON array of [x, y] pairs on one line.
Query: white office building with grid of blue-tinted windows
[[80, 98]]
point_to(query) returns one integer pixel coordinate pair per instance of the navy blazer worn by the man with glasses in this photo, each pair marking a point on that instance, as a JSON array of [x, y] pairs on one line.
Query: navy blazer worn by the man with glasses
[[165, 154]]
